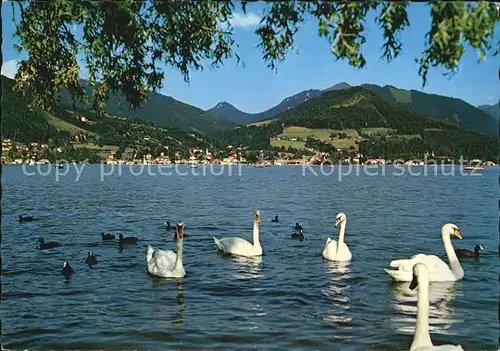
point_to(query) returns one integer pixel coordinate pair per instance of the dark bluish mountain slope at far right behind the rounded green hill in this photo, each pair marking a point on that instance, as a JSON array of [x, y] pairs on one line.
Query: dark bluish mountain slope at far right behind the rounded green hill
[[448, 109]]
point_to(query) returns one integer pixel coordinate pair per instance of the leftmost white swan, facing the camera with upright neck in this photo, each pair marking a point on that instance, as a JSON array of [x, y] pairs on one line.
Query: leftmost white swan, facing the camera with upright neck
[[167, 264]]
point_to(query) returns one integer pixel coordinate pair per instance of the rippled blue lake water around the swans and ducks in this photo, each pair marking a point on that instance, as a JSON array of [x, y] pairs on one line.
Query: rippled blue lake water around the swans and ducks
[[290, 299]]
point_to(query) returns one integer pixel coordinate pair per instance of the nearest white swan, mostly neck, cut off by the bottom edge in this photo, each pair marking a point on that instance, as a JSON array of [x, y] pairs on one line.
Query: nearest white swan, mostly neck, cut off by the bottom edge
[[422, 339]]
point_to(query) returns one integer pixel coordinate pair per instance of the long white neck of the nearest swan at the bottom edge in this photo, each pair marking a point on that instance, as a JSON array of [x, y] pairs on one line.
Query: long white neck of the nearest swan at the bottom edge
[[422, 336]]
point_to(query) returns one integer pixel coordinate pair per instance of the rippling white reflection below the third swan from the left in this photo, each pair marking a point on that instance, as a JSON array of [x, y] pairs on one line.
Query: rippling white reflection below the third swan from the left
[[337, 291]]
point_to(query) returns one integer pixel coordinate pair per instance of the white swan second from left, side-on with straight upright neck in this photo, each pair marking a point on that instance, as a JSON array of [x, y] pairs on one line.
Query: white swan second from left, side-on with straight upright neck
[[241, 247]]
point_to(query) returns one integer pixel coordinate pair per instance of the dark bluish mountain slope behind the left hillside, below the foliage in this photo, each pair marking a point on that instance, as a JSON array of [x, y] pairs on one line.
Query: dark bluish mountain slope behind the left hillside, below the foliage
[[162, 110]]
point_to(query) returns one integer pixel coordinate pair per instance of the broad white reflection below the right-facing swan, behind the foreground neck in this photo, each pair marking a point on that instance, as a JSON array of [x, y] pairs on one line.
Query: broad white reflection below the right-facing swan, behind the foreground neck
[[441, 295]]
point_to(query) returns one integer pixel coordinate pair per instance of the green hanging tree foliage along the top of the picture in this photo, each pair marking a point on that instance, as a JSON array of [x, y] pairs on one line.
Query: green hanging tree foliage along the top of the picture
[[124, 42]]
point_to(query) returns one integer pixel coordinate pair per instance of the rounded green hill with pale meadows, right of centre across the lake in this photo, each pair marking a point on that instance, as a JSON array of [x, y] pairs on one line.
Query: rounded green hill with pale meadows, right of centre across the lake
[[383, 129]]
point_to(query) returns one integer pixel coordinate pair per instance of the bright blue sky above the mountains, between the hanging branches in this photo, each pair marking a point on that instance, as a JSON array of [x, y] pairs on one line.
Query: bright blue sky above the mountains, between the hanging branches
[[254, 87]]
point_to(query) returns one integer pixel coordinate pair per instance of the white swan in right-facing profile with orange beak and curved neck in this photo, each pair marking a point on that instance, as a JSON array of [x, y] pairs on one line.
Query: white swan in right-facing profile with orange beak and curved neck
[[439, 271]]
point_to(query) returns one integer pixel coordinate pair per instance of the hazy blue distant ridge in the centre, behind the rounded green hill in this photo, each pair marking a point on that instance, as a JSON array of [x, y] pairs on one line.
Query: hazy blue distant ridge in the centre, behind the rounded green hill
[[231, 113]]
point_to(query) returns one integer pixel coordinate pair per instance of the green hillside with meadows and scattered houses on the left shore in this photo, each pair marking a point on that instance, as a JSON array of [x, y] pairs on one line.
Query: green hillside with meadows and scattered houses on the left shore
[[87, 133]]
